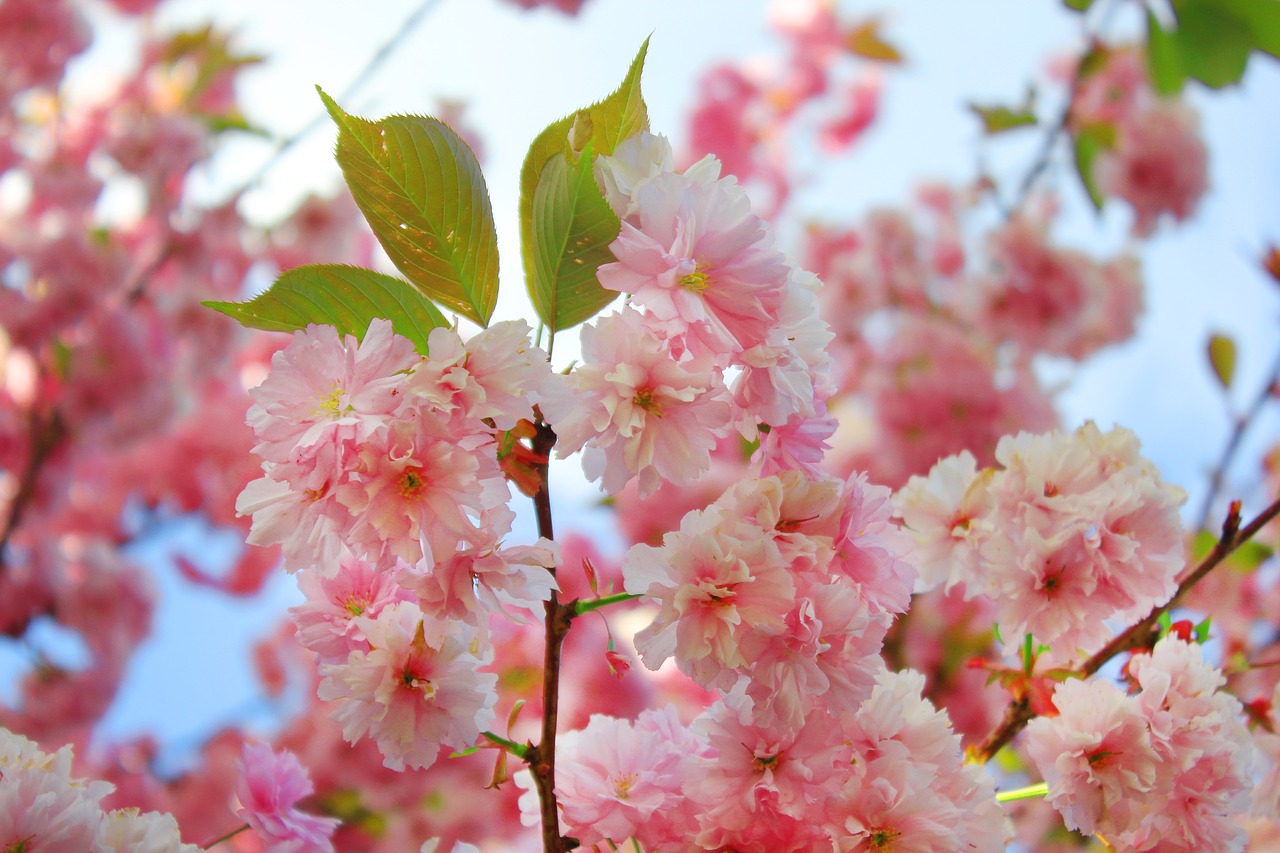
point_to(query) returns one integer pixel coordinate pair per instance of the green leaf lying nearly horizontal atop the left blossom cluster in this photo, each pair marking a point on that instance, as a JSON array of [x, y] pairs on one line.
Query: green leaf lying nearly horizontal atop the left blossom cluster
[[345, 298]]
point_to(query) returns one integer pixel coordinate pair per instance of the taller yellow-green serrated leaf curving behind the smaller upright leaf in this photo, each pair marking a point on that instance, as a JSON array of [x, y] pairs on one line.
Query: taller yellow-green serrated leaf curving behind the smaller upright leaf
[[598, 129]]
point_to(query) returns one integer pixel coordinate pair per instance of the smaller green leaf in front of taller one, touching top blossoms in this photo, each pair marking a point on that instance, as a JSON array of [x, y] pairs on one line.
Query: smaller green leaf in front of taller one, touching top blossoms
[[573, 230]]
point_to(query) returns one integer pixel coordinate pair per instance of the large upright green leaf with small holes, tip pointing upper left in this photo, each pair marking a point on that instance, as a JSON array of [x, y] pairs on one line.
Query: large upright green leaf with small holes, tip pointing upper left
[[420, 189]]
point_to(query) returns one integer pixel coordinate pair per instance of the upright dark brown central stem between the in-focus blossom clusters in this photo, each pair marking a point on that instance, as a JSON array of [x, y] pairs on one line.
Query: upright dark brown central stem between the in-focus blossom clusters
[[542, 758]]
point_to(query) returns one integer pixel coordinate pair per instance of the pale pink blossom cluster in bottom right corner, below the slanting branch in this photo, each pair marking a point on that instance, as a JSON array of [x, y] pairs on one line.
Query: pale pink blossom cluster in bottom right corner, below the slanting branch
[[1167, 768]]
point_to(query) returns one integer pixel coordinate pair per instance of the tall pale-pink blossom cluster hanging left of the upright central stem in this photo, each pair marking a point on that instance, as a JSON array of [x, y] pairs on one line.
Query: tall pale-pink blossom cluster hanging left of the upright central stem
[[382, 483]]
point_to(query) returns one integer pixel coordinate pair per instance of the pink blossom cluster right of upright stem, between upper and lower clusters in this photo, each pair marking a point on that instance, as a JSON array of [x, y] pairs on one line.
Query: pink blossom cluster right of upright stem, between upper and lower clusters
[[781, 590]]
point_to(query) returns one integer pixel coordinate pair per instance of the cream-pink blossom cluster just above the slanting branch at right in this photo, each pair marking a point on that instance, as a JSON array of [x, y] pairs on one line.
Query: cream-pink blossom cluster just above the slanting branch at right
[[1072, 531]]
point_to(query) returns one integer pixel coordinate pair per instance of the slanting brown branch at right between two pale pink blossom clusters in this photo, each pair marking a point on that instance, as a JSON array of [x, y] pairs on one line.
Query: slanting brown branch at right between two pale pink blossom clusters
[[1141, 635]]
